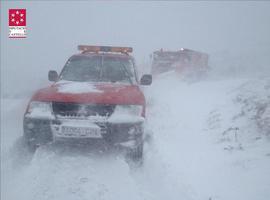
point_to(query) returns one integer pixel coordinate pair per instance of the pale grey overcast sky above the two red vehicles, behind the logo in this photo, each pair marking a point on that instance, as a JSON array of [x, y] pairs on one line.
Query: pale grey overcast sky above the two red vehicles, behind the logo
[[55, 28]]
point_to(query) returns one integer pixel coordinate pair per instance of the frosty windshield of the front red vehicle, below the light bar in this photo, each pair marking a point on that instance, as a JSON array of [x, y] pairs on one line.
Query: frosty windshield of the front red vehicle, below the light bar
[[99, 69]]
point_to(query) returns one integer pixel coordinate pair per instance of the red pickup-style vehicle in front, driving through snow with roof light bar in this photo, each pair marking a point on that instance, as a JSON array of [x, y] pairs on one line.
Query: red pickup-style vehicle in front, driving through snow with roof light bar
[[96, 99]]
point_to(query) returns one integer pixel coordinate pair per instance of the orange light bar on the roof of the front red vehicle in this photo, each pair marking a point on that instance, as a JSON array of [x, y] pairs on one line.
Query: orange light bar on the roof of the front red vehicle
[[105, 49]]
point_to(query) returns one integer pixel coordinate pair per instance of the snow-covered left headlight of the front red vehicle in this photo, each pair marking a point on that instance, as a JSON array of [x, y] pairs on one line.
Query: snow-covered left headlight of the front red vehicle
[[40, 109]]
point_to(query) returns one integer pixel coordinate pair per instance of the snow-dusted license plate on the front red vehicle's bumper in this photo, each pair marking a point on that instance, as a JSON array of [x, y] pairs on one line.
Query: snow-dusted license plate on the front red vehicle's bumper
[[80, 132]]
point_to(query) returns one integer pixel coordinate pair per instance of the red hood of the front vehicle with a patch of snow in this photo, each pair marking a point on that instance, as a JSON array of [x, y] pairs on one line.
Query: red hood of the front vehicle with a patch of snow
[[86, 92]]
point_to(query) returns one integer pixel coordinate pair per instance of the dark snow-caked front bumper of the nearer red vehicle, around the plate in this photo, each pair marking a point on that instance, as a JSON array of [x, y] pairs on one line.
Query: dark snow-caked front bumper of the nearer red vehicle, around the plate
[[43, 131]]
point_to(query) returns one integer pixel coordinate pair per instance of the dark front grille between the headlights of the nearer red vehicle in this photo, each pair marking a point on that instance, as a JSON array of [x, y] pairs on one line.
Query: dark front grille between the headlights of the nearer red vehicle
[[82, 110]]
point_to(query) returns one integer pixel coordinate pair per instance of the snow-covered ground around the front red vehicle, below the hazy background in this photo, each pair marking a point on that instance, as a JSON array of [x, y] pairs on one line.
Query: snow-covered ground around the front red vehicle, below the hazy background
[[210, 141]]
